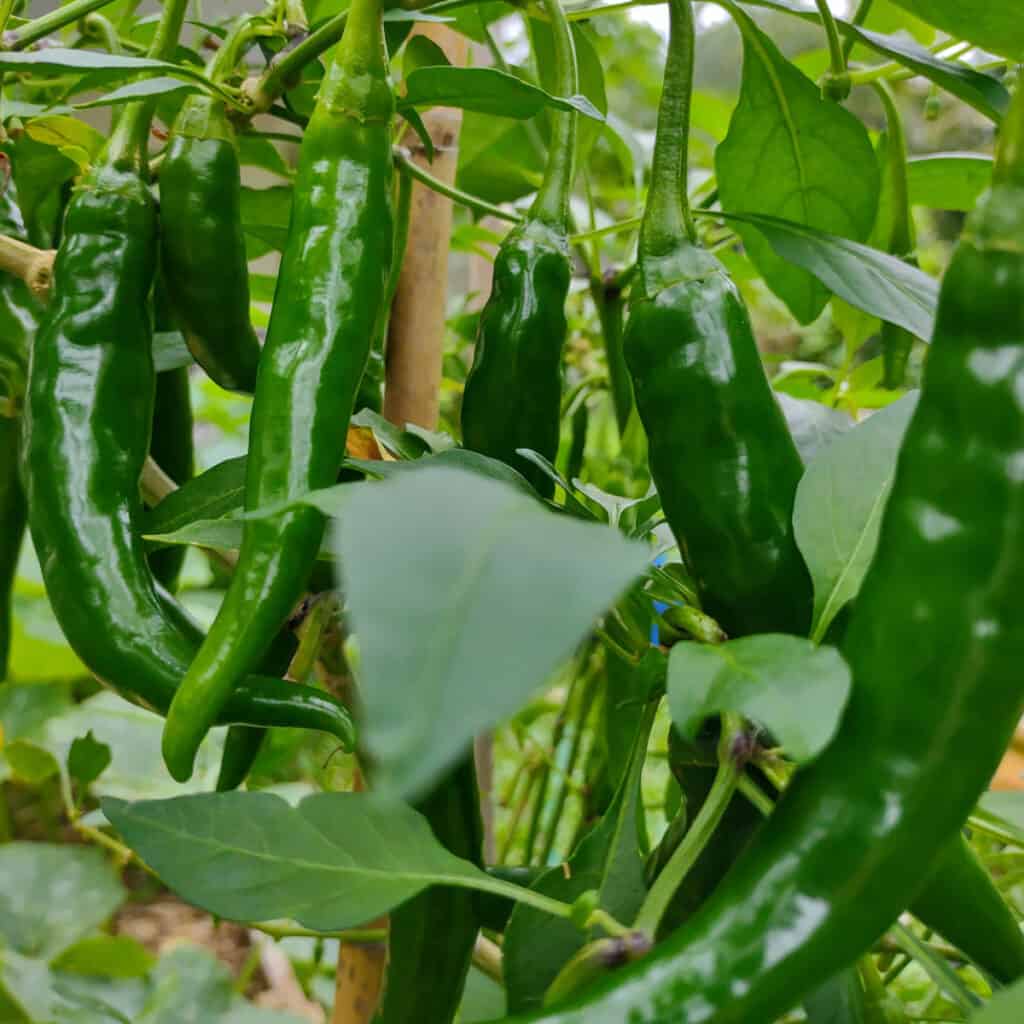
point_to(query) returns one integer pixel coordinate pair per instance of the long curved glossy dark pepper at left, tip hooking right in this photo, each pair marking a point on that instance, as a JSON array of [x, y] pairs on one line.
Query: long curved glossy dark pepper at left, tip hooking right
[[87, 437]]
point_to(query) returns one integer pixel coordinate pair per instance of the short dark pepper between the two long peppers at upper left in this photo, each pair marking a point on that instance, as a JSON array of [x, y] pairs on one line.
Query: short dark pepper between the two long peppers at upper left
[[203, 247]]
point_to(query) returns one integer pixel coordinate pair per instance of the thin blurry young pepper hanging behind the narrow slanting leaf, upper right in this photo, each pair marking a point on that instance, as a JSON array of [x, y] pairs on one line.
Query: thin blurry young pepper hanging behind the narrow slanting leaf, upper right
[[898, 343]]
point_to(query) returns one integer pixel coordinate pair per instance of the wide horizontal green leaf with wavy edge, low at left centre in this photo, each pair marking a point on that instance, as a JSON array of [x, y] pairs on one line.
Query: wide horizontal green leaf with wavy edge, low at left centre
[[336, 861]]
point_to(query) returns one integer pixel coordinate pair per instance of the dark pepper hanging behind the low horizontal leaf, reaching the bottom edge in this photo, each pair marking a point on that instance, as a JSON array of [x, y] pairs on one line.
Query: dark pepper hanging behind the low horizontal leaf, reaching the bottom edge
[[429, 964]]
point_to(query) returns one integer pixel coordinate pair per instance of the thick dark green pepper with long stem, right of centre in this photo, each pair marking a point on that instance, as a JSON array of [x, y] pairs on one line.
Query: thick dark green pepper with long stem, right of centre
[[720, 453]]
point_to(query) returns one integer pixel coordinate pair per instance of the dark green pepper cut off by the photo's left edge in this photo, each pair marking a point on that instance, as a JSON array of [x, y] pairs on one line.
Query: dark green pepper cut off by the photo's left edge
[[19, 313]]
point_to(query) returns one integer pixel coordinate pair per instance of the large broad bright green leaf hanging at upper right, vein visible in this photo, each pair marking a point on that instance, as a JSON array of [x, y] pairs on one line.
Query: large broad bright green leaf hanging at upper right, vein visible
[[815, 165]]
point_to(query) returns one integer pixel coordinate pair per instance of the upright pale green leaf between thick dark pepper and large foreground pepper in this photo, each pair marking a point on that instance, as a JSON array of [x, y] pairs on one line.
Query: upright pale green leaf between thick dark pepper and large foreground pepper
[[839, 507]]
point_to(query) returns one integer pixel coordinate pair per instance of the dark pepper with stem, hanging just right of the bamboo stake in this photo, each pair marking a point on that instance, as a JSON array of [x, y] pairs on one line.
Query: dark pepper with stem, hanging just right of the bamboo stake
[[514, 392]]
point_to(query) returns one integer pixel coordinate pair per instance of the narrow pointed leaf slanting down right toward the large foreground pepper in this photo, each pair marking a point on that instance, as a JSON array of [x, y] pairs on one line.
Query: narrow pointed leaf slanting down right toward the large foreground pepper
[[868, 279]]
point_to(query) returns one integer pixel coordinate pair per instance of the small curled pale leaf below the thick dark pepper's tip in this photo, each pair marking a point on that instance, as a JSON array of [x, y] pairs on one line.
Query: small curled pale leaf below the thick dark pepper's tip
[[787, 685]]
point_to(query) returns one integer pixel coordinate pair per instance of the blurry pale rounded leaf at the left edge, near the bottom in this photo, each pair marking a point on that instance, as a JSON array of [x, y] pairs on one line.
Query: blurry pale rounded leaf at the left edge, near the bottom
[[54, 895]]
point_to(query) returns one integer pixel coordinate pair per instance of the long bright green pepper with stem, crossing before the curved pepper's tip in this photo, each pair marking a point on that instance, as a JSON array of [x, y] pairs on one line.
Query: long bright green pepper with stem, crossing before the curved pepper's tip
[[329, 303]]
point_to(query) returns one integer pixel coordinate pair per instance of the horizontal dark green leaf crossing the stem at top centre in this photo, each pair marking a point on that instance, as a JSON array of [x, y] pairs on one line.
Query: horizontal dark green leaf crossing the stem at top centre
[[487, 91]]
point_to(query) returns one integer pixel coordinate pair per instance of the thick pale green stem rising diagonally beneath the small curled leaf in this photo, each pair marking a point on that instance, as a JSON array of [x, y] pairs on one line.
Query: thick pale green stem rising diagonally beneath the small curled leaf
[[722, 791]]
